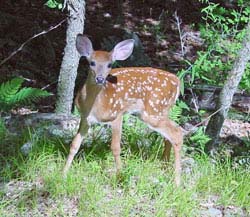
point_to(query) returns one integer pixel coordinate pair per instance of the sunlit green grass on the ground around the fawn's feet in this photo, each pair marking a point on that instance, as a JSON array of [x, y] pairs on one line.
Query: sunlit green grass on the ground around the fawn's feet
[[144, 188]]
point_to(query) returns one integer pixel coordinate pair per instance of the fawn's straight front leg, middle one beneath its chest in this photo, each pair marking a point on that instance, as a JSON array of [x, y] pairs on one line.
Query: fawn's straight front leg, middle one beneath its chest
[[116, 142]]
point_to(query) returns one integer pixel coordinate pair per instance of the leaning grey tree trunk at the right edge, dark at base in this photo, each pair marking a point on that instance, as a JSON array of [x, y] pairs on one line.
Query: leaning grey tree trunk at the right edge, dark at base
[[225, 99]]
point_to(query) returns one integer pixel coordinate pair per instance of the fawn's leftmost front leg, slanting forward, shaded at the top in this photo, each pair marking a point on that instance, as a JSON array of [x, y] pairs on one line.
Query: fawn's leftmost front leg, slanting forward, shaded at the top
[[76, 143]]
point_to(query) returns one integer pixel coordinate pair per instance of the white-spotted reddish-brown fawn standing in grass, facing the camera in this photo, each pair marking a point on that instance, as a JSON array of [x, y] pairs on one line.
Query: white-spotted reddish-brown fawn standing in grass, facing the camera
[[109, 93]]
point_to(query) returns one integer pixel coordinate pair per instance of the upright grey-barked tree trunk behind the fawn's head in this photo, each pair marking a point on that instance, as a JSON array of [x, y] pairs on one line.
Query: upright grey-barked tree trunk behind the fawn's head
[[68, 71]]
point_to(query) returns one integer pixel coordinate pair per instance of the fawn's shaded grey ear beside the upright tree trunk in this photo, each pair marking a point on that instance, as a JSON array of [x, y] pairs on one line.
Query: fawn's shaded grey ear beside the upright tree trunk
[[84, 45]]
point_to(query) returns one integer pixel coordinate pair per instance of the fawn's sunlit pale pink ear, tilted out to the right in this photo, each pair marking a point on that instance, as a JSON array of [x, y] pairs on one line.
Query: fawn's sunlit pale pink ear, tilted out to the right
[[123, 50]]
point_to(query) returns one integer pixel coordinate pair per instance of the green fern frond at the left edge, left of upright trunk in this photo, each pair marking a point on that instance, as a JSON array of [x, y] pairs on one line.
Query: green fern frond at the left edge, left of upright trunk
[[13, 95]]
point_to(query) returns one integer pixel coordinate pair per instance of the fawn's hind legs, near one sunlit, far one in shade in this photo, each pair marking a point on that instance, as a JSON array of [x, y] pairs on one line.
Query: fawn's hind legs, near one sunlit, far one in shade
[[173, 133]]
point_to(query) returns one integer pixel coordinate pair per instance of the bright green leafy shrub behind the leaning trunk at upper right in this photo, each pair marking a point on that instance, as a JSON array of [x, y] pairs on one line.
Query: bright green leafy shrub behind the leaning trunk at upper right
[[222, 31]]
